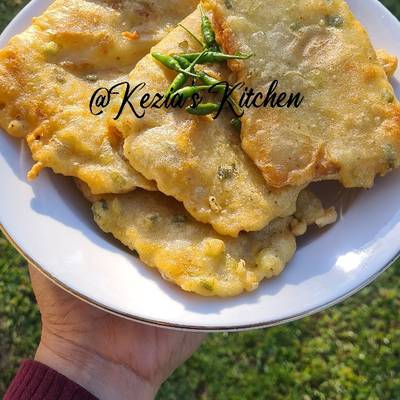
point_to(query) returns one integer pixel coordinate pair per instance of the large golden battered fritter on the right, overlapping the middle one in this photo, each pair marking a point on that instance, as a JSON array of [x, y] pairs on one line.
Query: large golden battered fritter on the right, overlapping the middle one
[[348, 126]]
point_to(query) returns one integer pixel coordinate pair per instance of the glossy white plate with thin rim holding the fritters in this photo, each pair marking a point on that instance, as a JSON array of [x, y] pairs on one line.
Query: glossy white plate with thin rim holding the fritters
[[52, 226]]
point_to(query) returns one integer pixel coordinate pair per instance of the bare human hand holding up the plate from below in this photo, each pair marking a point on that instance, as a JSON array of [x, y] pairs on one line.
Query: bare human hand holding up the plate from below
[[110, 357]]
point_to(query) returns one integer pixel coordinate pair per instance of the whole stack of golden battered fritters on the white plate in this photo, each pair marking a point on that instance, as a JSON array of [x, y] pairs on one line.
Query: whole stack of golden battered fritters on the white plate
[[214, 210]]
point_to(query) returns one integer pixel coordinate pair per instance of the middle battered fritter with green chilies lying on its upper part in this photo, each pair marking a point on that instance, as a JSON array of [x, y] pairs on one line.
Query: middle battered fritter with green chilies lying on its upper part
[[197, 160]]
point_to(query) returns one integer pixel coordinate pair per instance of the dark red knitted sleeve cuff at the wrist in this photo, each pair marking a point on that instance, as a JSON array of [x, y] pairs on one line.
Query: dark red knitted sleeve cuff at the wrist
[[35, 381]]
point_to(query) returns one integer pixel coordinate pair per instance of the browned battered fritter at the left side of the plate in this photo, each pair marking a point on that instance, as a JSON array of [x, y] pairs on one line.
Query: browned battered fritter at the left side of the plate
[[49, 72]]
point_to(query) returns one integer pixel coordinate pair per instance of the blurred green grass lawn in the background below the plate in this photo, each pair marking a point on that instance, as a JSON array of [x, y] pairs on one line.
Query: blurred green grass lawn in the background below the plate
[[351, 351]]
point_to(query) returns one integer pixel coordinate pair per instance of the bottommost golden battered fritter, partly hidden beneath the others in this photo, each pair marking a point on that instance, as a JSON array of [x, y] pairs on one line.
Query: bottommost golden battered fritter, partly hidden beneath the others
[[194, 257]]
